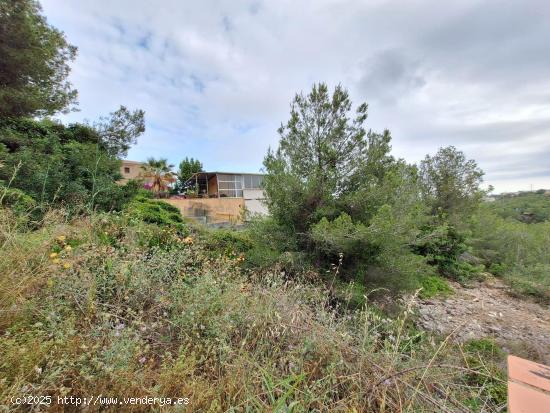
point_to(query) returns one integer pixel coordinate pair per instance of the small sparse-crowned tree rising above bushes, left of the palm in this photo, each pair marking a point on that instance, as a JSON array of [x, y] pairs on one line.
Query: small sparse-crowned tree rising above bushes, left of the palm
[[119, 130]]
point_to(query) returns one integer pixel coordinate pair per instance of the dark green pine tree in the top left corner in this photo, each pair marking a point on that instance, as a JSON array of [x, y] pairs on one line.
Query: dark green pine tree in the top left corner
[[34, 59]]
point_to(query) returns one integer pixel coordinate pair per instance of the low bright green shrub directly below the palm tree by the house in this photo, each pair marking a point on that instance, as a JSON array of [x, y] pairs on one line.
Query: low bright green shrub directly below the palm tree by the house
[[155, 212]]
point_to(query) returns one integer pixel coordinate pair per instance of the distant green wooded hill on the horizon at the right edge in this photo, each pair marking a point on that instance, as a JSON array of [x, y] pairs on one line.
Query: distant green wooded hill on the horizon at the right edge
[[527, 207]]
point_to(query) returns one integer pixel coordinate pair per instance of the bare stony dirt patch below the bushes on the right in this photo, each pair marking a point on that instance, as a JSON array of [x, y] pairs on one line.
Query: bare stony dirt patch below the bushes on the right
[[488, 310]]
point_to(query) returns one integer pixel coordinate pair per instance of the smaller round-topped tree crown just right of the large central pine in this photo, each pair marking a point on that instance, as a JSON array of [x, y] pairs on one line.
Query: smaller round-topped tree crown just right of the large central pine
[[450, 182]]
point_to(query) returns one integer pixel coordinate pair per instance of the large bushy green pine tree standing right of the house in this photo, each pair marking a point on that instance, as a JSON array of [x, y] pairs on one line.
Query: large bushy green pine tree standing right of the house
[[336, 187]]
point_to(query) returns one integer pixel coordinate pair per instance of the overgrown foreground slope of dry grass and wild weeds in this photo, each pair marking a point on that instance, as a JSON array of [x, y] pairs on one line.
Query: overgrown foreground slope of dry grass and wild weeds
[[114, 306]]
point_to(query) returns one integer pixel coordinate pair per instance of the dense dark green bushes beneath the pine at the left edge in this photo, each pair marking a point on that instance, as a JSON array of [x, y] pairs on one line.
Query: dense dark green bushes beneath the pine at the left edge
[[54, 163]]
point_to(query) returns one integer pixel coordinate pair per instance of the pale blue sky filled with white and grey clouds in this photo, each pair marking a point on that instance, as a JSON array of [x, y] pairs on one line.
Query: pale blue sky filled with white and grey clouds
[[216, 78]]
